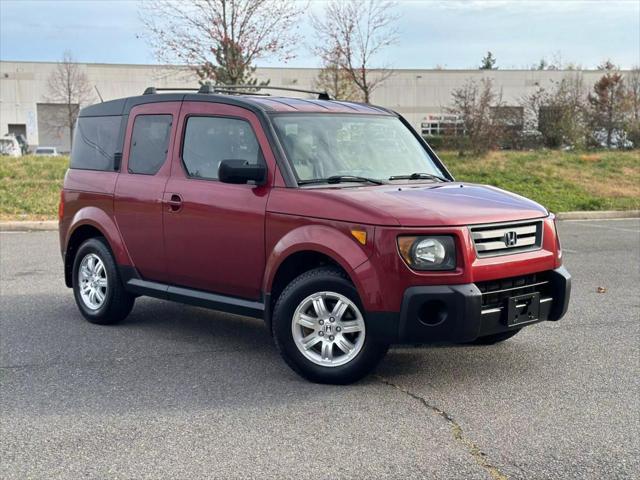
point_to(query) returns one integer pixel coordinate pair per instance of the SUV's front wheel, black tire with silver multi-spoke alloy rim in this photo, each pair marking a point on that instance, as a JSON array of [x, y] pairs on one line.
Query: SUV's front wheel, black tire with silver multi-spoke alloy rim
[[327, 360]]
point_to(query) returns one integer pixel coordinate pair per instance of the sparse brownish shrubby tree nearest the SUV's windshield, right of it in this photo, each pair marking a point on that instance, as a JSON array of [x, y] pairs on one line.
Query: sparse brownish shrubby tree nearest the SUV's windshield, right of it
[[477, 105]]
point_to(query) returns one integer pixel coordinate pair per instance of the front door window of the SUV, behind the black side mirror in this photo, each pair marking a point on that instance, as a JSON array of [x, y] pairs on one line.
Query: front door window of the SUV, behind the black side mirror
[[209, 140]]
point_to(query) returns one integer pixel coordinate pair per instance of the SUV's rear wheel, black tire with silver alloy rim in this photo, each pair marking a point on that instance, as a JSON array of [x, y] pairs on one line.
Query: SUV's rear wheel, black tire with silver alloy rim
[[95, 272]]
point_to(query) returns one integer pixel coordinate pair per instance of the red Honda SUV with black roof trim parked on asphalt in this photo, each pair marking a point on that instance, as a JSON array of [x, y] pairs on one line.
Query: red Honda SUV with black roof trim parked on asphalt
[[333, 221]]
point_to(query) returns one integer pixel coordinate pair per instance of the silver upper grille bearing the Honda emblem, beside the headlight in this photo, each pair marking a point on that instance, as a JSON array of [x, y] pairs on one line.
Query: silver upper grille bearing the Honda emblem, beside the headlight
[[506, 238]]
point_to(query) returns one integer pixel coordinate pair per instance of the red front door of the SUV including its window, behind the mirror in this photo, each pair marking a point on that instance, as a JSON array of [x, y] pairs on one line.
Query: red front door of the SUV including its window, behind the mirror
[[214, 232]]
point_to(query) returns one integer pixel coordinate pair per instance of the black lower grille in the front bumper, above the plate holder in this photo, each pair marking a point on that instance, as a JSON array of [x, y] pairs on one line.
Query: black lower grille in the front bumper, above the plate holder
[[495, 292]]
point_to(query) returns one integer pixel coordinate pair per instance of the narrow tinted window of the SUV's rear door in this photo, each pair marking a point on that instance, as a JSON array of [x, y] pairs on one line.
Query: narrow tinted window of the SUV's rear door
[[149, 143]]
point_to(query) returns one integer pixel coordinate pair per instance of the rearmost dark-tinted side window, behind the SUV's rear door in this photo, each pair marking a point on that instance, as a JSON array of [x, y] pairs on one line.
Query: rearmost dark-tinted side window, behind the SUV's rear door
[[95, 141]]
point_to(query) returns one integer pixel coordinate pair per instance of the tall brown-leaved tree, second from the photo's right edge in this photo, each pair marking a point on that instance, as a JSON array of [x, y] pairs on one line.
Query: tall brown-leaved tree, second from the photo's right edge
[[608, 103]]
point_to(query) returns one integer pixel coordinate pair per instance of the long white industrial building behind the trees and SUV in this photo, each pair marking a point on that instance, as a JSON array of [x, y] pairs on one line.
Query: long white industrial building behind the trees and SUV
[[420, 95]]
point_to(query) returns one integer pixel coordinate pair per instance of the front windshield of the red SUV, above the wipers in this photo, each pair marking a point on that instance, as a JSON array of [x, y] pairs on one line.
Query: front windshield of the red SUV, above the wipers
[[320, 146]]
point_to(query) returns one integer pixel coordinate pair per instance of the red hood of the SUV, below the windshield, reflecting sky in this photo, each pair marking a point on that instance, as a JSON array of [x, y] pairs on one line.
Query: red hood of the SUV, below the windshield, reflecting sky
[[440, 204]]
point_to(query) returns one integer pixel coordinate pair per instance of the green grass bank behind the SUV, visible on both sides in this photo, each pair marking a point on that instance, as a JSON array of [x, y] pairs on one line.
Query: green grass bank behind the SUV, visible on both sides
[[562, 181]]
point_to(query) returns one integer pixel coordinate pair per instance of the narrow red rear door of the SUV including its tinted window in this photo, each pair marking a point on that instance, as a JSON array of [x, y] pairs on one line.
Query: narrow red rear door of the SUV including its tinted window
[[139, 191]]
